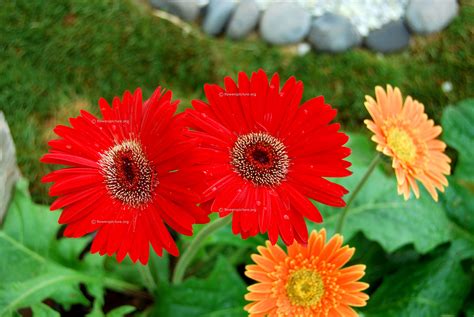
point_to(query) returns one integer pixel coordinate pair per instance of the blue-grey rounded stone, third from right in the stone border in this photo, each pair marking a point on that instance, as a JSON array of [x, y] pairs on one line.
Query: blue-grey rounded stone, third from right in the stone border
[[333, 33]]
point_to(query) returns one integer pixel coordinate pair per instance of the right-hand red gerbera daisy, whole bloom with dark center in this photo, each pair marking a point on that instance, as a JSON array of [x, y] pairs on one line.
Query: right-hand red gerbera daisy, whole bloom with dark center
[[261, 156]]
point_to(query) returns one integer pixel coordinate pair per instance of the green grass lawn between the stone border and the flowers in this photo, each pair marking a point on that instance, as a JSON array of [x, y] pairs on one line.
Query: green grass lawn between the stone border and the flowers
[[57, 56]]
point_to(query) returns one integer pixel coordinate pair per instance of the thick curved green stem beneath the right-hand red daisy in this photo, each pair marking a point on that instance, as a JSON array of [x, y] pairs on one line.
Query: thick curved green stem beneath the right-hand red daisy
[[194, 247]]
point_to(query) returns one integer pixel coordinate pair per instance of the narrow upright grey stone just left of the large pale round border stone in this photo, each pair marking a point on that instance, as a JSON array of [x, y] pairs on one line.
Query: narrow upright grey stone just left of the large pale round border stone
[[244, 19]]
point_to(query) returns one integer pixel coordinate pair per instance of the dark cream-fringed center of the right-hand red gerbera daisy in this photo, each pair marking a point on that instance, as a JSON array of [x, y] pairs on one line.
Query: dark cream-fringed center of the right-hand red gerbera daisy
[[260, 158]]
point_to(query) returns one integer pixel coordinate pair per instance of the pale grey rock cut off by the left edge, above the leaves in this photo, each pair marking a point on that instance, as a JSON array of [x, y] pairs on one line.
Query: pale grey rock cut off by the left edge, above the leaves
[[9, 172]]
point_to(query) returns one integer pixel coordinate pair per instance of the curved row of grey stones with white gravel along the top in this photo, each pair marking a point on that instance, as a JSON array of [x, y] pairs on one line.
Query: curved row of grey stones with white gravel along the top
[[388, 26]]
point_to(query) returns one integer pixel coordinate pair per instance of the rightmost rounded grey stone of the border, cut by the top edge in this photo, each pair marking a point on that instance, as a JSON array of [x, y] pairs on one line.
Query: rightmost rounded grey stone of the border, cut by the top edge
[[428, 16]]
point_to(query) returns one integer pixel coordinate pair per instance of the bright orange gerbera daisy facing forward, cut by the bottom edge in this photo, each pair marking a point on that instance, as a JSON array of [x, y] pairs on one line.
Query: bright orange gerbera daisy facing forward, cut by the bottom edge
[[308, 281]]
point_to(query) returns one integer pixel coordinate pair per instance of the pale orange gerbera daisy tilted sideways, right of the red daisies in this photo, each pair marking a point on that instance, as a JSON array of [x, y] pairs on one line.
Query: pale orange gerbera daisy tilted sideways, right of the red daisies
[[404, 132]]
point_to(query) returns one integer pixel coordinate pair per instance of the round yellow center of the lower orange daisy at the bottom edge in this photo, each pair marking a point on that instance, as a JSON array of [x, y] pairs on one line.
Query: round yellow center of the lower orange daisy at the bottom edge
[[305, 288]]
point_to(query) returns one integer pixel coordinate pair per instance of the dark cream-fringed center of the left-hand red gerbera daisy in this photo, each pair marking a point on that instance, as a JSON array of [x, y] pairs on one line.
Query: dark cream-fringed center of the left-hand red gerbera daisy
[[128, 175]]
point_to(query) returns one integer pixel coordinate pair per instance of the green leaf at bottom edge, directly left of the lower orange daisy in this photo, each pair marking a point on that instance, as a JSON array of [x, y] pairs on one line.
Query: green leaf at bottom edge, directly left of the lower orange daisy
[[220, 294]]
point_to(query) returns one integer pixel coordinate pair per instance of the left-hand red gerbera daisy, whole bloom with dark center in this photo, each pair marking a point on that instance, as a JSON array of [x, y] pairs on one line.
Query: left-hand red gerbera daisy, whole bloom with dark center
[[124, 178]]
